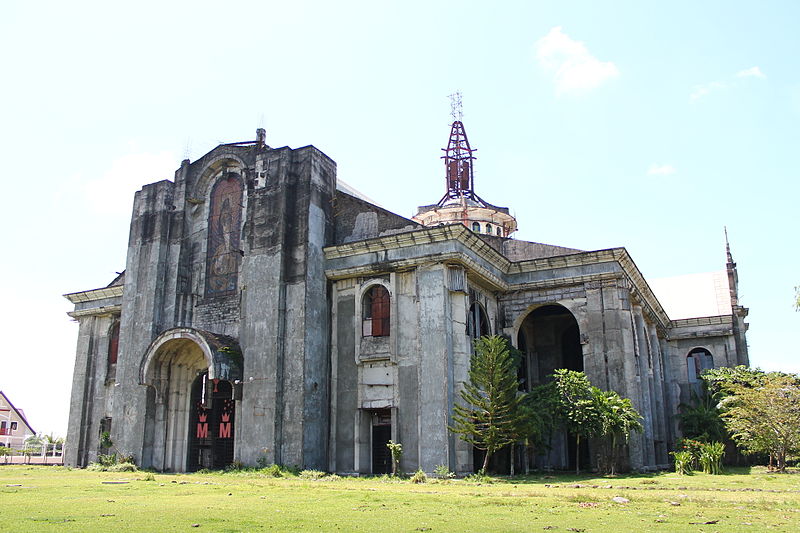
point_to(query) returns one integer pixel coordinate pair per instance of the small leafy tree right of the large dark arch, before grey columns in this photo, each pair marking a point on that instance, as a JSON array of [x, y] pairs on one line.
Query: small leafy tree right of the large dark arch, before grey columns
[[617, 419]]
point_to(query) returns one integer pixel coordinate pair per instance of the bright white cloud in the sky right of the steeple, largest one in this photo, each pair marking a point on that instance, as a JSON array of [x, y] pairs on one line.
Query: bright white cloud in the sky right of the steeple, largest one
[[574, 68]]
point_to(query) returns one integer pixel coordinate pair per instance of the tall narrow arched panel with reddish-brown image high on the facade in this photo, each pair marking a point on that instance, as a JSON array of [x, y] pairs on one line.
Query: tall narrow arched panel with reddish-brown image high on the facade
[[224, 227]]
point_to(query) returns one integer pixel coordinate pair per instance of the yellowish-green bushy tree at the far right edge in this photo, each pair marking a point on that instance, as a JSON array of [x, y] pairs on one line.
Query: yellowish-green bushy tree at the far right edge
[[761, 411]]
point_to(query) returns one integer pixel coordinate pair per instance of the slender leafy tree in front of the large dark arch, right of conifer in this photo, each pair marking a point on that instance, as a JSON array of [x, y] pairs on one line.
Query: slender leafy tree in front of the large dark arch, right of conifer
[[576, 406]]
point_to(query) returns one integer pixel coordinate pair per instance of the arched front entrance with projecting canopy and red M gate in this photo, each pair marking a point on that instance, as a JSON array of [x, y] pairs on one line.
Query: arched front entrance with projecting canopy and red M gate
[[185, 369]]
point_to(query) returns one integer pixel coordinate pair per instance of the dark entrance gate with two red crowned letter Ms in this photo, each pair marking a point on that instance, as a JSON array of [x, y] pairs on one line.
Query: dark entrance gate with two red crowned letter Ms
[[211, 424]]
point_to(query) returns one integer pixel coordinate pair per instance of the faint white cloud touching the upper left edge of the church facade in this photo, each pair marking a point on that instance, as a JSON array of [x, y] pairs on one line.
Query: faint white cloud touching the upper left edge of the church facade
[[113, 193]]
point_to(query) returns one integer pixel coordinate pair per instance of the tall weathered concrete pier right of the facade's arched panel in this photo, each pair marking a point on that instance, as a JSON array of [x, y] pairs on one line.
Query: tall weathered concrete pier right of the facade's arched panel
[[289, 221]]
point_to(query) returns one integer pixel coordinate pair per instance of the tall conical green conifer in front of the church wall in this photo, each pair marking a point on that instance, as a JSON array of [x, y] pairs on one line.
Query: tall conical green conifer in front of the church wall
[[489, 417]]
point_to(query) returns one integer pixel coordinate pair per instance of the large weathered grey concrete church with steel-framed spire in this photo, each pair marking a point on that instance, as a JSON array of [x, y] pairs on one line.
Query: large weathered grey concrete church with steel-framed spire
[[268, 312]]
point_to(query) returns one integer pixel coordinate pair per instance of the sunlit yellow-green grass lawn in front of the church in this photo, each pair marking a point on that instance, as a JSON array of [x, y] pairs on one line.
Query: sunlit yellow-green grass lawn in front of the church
[[62, 500]]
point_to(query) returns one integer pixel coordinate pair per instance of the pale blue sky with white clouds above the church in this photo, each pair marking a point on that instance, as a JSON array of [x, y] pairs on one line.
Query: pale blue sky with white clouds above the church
[[649, 125]]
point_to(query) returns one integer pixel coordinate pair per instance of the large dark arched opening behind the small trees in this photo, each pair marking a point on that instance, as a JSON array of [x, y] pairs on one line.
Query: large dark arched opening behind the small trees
[[549, 338]]
